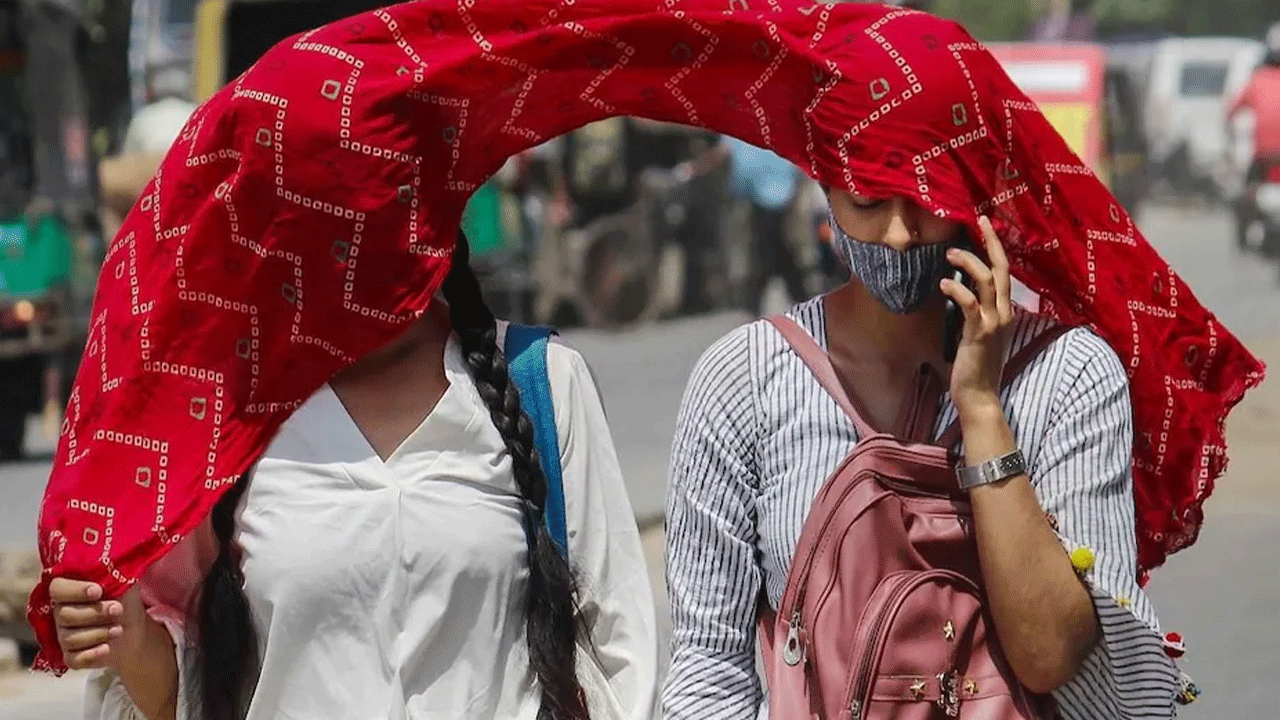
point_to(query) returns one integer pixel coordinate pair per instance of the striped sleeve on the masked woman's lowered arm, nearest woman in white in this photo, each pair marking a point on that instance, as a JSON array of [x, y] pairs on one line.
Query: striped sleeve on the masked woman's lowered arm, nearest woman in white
[[712, 573]]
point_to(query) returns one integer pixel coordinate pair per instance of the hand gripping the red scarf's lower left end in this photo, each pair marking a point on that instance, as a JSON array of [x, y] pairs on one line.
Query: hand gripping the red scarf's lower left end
[[94, 632]]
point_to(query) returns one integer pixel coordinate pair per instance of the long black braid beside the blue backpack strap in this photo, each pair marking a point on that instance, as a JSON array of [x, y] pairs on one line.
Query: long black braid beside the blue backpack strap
[[552, 618]]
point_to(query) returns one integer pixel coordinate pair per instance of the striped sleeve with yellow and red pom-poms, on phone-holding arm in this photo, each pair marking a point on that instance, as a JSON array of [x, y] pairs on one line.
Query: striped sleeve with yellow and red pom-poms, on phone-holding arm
[[1085, 481]]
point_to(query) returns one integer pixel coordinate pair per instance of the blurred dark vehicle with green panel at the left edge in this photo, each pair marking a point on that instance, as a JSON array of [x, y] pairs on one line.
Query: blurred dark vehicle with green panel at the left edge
[[51, 239]]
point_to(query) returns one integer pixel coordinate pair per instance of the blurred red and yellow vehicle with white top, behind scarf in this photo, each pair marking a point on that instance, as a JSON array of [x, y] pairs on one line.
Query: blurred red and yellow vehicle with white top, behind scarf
[[1092, 106]]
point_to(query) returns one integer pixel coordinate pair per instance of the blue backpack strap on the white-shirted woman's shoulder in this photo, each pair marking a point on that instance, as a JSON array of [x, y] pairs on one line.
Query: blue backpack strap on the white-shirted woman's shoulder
[[525, 349]]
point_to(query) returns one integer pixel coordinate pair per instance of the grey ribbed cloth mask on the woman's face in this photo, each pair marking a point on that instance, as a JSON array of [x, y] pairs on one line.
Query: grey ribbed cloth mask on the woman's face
[[902, 280]]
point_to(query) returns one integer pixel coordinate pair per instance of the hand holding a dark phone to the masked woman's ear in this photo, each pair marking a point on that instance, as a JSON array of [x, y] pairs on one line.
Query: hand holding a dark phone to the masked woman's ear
[[989, 318]]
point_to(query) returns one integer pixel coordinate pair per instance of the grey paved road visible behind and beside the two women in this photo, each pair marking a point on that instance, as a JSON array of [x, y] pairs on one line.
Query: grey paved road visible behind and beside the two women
[[1222, 594]]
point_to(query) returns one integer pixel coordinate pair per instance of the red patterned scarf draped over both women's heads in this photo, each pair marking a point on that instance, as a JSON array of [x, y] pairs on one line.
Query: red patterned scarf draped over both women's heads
[[309, 212]]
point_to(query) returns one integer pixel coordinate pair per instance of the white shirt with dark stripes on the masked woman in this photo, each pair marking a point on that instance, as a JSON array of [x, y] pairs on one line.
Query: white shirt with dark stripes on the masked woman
[[757, 439]]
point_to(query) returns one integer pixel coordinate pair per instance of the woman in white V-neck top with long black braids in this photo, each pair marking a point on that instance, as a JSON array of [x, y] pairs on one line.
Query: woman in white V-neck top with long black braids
[[376, 564]]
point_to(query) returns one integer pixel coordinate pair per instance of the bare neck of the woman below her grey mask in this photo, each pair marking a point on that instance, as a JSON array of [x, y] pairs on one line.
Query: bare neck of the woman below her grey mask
[[861, 327]]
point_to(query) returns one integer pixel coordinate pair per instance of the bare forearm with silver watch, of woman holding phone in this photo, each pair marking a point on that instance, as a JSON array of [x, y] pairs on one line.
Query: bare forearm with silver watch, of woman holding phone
[[1043, 612]]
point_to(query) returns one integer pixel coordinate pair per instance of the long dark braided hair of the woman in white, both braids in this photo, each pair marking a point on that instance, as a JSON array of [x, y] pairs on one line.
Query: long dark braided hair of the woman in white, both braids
[[227, 641]]
